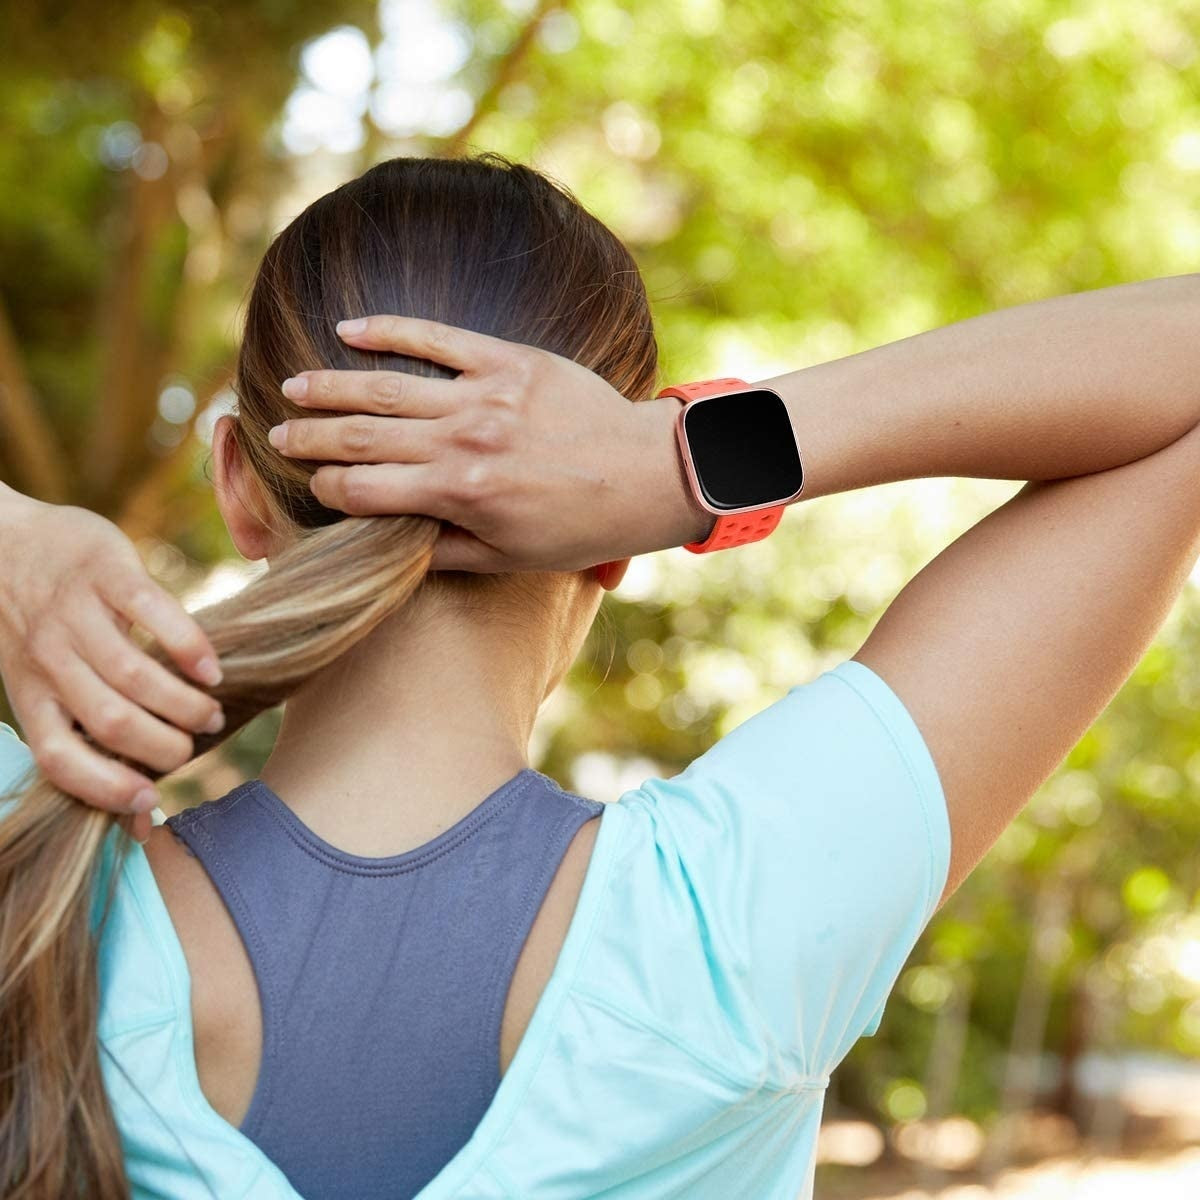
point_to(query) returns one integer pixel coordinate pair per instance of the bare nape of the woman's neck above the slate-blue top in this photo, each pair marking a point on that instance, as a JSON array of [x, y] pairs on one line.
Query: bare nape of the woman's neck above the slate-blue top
[[410, 731]]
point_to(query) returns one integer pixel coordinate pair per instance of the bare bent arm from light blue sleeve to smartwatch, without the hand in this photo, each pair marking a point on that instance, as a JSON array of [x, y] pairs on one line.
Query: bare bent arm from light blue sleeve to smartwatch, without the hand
[[1011, 643]]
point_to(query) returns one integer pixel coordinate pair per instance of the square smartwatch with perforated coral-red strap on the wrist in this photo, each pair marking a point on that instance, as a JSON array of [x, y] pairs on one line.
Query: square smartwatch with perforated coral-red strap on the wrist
[[741, 457]]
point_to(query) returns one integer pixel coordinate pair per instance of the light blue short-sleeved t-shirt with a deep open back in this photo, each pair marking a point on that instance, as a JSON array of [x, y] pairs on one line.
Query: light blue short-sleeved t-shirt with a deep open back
[[740, 928]]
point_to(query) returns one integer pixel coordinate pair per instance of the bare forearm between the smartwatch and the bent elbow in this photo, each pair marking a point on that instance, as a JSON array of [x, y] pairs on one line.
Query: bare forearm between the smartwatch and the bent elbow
[[1046, 391]]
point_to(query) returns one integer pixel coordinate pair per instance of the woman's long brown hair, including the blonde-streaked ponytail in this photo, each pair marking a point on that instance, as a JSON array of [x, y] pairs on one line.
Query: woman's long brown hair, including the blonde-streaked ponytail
[[482, 243]]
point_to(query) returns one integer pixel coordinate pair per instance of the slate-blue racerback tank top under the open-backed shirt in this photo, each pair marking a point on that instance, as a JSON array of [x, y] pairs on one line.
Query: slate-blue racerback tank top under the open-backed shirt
[[382, 981]]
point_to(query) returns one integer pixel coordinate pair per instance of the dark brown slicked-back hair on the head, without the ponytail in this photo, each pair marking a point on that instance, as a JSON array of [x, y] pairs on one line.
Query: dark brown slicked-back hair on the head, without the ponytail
[[481, 243]]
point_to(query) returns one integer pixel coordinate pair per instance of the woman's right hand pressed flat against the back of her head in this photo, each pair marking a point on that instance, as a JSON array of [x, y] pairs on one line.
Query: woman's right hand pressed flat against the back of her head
[[535, 460]]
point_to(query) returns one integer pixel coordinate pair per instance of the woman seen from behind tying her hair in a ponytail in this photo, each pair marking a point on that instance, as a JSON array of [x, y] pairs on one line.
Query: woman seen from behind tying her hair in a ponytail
[[401, 962]]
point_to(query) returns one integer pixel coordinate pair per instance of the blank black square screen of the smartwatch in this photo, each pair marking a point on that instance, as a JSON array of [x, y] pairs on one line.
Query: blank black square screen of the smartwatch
[[743, 449]]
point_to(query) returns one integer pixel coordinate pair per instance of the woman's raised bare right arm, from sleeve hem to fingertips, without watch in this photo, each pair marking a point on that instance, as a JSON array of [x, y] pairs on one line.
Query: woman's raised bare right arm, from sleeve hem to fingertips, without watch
[[1005, 649]]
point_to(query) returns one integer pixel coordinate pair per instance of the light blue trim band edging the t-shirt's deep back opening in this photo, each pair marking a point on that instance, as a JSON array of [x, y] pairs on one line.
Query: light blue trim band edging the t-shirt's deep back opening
[[514, 1084]]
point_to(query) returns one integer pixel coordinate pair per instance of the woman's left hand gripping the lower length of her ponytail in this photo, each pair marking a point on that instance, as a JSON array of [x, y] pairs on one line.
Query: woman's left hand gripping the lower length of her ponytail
[[71, 587]]
